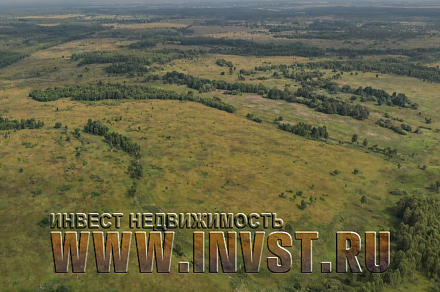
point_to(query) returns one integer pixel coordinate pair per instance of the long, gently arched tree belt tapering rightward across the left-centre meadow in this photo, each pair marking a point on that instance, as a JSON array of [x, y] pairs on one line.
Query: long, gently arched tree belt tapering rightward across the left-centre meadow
[[101, 91]]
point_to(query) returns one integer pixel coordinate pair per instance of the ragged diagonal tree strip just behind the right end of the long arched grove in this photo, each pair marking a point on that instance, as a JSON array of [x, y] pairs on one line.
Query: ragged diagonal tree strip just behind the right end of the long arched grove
[[305, 95]]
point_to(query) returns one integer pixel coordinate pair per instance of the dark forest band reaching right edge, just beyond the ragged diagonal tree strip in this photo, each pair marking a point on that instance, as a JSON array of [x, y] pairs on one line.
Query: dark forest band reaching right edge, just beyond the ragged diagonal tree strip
[[384, 66]]
